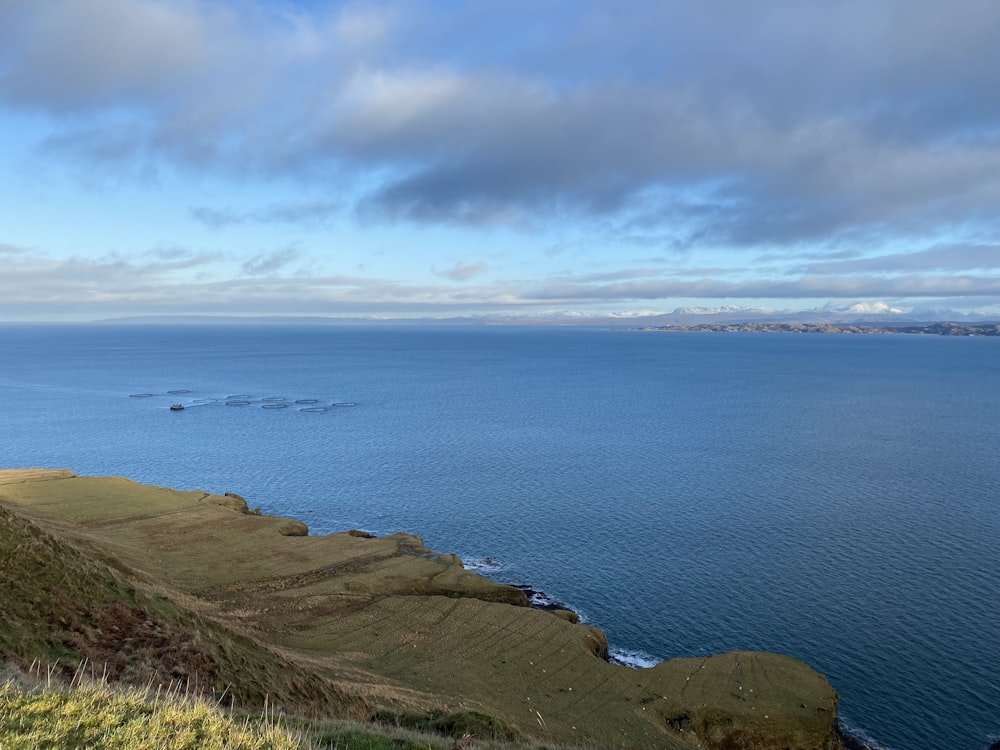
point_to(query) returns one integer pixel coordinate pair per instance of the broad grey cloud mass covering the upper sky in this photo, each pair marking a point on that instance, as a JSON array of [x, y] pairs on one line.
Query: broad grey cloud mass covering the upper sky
[[765, 125]]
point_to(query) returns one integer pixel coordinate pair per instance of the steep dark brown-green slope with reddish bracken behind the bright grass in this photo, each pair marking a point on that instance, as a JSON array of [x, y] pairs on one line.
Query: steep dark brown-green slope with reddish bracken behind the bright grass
[[60, 605]]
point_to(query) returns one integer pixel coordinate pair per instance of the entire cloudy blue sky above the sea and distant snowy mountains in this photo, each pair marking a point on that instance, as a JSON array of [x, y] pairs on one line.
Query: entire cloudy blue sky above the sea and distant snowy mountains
[[438, 158]]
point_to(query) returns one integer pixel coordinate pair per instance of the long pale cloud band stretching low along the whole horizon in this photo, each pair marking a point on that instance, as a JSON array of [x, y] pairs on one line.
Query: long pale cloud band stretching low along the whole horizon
[[173, 280]]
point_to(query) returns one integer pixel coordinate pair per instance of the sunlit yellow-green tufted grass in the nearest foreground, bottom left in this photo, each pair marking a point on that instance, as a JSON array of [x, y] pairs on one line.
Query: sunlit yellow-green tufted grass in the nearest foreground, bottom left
[[40, 712]]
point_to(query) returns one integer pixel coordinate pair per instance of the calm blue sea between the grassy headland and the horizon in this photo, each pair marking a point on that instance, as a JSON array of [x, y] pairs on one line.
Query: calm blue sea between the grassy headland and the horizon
[[836, 498]]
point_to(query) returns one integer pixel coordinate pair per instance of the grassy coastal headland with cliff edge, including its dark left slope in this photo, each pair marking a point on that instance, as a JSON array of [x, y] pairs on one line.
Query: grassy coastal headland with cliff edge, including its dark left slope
[[188, 585]]
